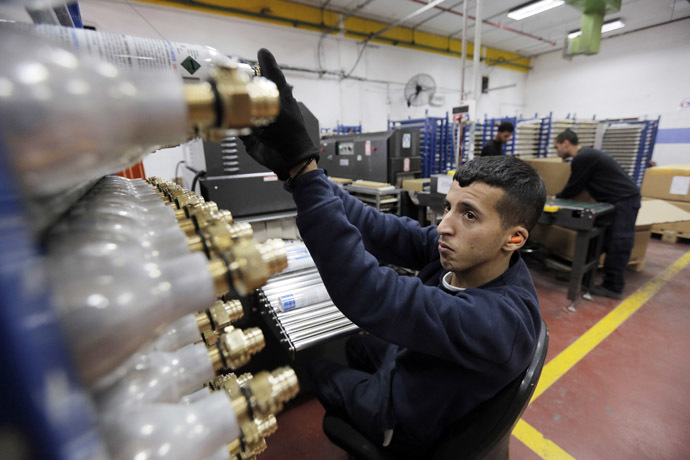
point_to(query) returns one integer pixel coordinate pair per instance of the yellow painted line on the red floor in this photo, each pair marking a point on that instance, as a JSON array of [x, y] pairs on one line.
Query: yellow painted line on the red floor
[[565, 360]]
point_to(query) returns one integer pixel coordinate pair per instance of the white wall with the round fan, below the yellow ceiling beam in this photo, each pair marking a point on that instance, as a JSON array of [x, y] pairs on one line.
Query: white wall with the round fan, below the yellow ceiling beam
[[332, 100]]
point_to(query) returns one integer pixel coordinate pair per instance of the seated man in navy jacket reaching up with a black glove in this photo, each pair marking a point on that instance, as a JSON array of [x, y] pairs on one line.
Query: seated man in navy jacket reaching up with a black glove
[[441, 343]]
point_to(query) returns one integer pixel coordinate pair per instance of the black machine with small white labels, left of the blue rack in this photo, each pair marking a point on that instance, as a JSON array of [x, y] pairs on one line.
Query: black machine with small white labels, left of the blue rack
[[387, 156]]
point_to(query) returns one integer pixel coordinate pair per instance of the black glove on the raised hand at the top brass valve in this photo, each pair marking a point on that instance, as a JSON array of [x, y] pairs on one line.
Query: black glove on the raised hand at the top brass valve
[[285, 143]]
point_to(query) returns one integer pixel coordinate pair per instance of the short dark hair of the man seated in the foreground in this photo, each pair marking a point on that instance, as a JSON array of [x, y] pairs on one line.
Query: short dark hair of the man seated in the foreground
[[524, 193]]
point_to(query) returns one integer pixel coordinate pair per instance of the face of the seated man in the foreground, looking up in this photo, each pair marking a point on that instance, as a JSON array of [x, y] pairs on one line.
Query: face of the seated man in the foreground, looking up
[[471, 235]]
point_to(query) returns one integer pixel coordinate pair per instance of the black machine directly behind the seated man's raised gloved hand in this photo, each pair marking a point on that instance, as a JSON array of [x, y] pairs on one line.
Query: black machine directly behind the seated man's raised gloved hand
[[235, 181]]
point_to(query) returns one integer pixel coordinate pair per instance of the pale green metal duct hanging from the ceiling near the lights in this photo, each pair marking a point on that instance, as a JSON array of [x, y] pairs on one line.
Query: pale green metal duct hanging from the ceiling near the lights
[[593, 12]]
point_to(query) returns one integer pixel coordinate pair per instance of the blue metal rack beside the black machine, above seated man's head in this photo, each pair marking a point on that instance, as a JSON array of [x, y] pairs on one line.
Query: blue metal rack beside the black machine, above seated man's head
[[436, 139]]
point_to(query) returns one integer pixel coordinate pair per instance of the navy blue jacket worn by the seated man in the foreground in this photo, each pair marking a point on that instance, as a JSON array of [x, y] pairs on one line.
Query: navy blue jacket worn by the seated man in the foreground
[[454, 349]]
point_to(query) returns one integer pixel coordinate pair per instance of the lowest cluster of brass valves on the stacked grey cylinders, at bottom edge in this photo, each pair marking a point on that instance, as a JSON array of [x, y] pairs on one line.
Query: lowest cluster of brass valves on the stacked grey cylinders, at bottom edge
[[255, 400]]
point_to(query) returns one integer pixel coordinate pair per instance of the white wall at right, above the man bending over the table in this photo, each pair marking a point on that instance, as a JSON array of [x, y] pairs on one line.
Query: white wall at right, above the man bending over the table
[[642, 74]]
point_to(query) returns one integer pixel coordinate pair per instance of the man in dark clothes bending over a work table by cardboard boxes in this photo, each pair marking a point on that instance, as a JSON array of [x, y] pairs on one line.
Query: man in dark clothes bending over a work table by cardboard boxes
[[604, 179]]
